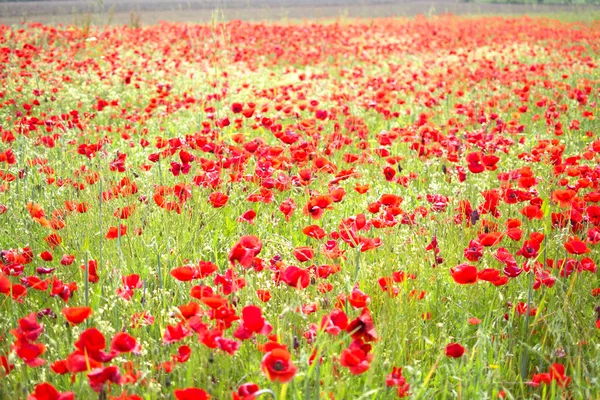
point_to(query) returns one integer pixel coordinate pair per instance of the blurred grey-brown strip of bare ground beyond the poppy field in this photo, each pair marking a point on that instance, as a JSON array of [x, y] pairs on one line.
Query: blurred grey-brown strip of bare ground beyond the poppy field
[[152, 11]]
